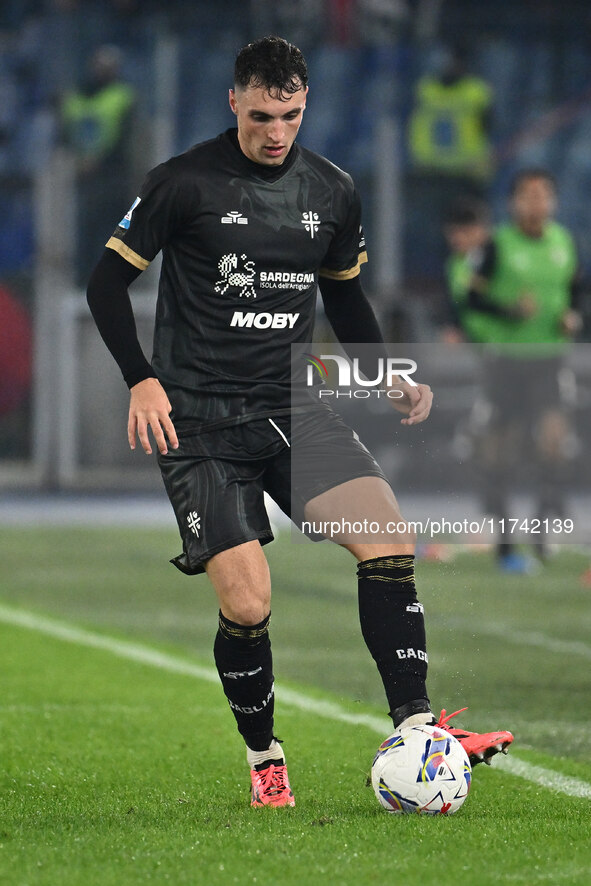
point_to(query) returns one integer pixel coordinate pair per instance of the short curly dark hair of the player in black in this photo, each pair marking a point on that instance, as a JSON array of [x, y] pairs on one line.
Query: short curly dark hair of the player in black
[[273, 63]]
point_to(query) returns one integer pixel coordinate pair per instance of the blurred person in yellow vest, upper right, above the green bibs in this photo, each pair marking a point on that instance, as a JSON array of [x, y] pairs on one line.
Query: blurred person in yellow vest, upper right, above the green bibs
[[450, 153]]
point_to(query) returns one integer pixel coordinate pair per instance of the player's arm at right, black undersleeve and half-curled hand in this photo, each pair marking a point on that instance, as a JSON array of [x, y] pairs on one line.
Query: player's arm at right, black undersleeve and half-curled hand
[[353, 320]]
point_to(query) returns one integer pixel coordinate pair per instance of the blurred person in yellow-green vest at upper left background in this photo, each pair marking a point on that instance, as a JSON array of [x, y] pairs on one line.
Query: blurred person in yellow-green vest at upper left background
[[97, 125]]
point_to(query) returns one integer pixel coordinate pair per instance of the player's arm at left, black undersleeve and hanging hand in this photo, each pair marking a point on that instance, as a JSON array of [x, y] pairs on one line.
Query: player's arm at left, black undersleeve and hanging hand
[[110, 305]]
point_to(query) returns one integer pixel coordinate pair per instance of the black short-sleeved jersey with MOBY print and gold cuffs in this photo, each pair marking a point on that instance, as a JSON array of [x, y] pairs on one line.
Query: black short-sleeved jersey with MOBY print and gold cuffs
[[243, 245]]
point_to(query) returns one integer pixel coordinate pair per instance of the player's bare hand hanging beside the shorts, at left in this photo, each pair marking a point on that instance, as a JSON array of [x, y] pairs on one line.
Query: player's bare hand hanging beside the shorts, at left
[[149, 407]]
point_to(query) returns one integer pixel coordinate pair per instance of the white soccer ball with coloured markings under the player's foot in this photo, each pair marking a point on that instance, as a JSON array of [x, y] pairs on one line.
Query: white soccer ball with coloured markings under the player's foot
[[421, 769]]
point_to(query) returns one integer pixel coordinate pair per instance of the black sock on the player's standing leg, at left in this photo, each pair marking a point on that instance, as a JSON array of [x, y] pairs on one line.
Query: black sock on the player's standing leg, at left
[[243, 659]]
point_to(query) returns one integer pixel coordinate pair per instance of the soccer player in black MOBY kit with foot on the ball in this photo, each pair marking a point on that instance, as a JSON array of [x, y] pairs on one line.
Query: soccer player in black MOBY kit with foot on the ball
[[248, 224]]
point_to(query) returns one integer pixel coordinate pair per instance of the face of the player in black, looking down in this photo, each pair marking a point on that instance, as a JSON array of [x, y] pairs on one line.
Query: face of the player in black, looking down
[[267, 124]]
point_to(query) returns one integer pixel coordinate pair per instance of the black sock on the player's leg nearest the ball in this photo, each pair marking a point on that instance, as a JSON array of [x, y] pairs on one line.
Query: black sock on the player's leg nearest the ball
[[393, 627]]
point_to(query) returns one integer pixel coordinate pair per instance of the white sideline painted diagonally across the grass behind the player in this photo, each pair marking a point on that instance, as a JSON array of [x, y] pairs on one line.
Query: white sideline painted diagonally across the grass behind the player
[[547, 778]]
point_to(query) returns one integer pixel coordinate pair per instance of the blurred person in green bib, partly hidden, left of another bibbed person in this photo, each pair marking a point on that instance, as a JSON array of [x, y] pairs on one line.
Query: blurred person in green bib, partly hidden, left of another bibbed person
[[467, 229]]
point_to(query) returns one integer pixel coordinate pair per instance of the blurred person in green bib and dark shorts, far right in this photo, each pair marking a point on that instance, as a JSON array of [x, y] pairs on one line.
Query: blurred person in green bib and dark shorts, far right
[[522, 300]]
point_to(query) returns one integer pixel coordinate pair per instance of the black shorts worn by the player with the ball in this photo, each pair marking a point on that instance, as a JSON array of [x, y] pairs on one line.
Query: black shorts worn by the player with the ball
[[215, 480]]
